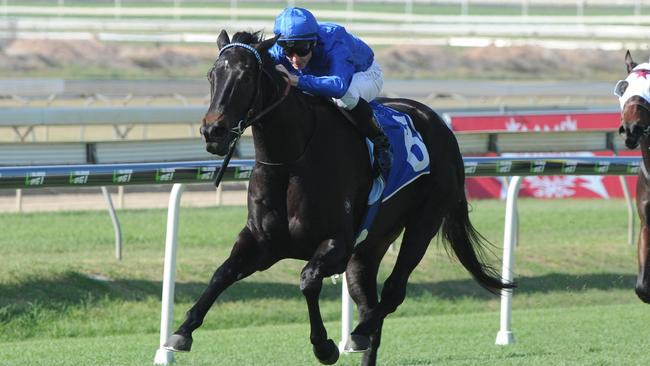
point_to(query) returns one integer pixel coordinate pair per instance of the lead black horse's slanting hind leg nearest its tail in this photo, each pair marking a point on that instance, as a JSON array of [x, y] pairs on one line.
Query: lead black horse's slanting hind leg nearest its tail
[[417, 235]]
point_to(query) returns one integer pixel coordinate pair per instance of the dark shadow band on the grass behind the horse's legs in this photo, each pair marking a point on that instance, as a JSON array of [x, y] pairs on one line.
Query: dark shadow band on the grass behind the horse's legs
[[76, 289]]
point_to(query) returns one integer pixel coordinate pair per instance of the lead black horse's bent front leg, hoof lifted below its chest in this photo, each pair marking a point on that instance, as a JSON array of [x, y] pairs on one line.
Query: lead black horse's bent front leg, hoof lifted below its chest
[[329, 259]]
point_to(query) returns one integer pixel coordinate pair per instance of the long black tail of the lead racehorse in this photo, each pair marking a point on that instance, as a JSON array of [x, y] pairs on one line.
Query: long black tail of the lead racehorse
[[469, 247]]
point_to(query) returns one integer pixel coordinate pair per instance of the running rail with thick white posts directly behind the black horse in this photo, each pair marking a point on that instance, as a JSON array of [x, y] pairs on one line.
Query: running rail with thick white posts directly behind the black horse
[[180, 173]]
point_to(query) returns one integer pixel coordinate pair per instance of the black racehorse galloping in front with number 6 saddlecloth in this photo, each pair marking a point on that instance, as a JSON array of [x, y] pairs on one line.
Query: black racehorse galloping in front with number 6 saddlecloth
[[308, 192]]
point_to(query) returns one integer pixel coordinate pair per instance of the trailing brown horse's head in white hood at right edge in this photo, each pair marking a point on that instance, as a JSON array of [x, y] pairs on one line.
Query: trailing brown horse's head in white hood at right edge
[[633, 94]]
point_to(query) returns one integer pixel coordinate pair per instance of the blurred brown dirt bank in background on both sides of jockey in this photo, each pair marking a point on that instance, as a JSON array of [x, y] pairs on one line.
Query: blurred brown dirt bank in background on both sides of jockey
[[52, 57]]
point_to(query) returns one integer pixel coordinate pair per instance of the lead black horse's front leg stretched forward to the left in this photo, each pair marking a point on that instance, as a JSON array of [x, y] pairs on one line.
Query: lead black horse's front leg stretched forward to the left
[[247, 256]]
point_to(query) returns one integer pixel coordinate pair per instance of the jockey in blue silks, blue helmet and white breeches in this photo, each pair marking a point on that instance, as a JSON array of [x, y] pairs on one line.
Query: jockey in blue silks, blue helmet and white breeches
[[324, 59]]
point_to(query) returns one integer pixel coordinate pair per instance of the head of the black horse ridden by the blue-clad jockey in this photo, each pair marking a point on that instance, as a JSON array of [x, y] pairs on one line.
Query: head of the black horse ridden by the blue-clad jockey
[[235, 87]]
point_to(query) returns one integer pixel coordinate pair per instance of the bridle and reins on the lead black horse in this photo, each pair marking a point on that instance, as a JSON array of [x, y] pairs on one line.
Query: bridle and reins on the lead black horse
[[251, 116]]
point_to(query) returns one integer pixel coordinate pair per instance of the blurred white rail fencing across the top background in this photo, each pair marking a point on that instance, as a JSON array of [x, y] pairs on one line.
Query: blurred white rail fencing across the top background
[[177, 23]]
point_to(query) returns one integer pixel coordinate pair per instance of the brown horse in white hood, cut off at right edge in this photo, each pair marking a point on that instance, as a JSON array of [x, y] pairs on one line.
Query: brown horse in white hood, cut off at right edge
[[634, 96]]
